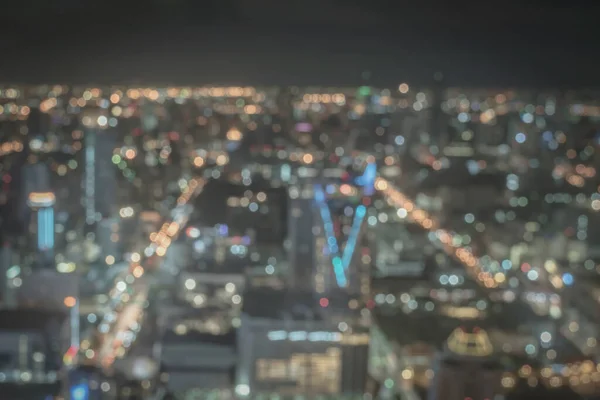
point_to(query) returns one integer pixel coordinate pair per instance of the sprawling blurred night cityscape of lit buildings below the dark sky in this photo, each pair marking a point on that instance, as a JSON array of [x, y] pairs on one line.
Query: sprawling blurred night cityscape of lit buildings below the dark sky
[[295, 274]]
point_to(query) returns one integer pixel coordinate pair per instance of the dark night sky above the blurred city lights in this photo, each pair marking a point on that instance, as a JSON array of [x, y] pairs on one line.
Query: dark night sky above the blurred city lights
[[302, 41]]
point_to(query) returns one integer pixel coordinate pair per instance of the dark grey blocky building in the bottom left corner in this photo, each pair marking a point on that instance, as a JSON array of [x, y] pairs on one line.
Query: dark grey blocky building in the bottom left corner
[[42, 335]]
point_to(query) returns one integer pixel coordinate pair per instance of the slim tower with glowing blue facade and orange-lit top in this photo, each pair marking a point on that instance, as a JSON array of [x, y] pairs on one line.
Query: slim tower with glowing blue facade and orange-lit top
[[43, 205]]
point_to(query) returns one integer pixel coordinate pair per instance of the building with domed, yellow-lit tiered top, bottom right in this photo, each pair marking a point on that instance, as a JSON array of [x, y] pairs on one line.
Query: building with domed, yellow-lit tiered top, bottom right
[[466, 369]]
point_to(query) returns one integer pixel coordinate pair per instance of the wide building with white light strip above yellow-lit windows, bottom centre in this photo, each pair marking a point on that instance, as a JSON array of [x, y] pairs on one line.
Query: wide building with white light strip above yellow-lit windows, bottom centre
[[293, 351]]
